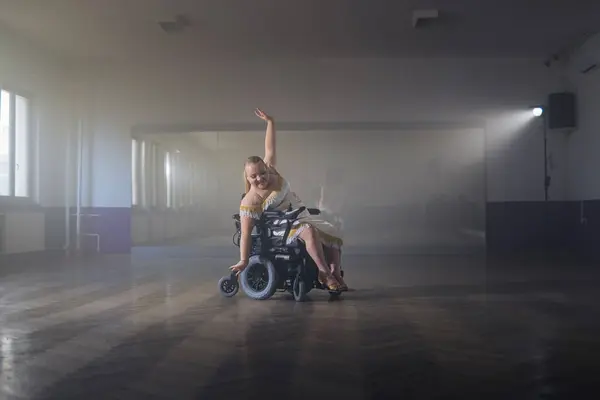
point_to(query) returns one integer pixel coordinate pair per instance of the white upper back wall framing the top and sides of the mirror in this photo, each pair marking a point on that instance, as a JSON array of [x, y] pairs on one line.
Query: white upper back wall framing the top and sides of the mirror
[[343, 90]]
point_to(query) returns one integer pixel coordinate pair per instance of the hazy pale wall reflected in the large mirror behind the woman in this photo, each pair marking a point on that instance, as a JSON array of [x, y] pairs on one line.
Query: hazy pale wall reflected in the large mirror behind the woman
[[396, 185]]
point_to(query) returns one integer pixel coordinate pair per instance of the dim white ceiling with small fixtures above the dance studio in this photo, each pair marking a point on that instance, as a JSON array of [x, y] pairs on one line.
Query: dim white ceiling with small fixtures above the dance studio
[[118, 30]]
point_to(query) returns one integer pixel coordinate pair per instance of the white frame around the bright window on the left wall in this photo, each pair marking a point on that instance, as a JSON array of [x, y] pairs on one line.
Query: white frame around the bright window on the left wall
[[32, 191]]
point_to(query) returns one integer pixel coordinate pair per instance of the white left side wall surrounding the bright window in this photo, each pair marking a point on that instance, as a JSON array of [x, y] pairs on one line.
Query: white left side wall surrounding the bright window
[[27, 68]]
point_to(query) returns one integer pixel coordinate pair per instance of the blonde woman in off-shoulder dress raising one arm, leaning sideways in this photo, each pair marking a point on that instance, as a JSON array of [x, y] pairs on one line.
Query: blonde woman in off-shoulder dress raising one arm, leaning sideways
[[267, 190]]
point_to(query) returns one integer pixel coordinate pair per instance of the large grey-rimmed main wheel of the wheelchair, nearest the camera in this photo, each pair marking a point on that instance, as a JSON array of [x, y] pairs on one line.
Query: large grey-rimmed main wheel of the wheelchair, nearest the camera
[[259, 279]]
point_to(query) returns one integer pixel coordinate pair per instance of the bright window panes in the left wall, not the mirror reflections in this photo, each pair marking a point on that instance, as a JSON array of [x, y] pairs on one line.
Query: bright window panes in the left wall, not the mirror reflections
[[15, 117]]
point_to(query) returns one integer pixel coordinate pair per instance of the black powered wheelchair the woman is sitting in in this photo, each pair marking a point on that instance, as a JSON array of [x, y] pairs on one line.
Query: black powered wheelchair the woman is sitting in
[[274, 265]]
